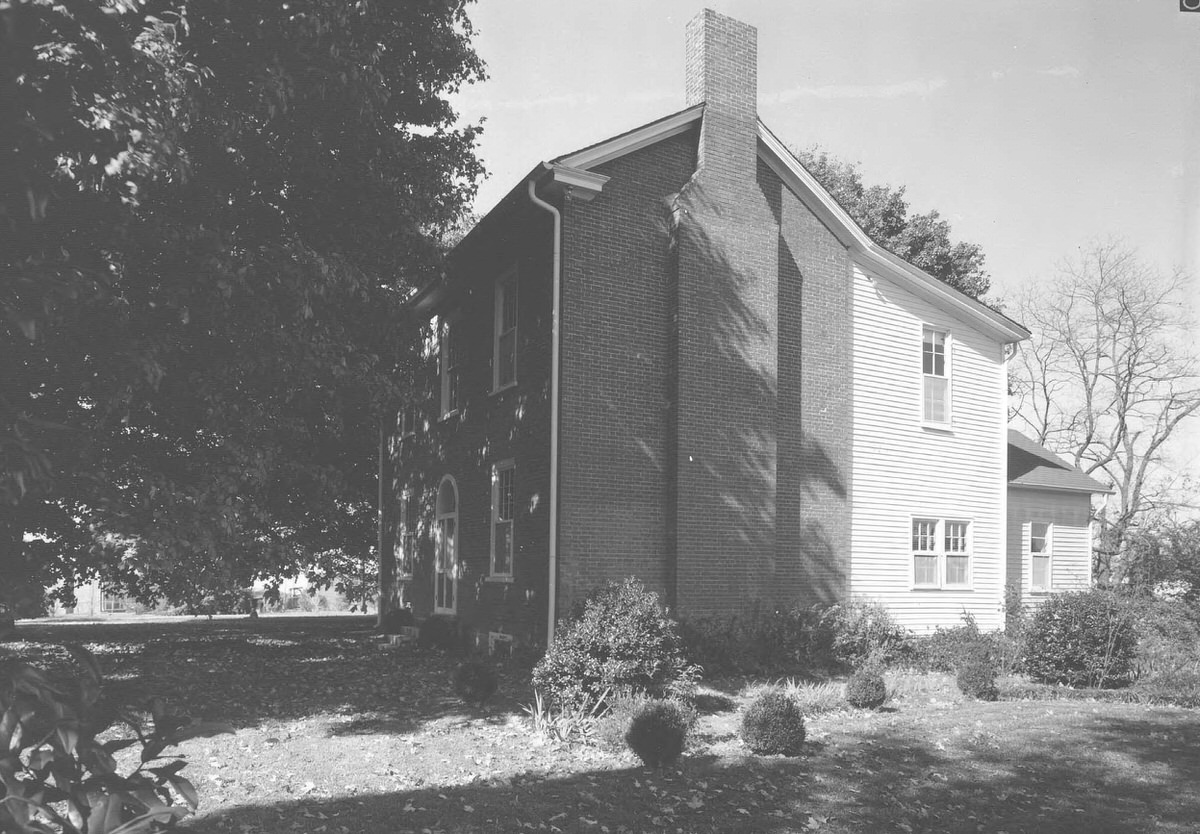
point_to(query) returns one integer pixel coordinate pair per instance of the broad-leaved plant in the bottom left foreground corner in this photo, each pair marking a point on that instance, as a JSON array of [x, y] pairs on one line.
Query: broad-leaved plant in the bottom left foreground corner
[[57, 776]]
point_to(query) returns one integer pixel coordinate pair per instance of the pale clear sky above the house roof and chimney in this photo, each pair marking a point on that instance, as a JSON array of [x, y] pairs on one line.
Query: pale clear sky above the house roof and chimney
[[1033, 127]]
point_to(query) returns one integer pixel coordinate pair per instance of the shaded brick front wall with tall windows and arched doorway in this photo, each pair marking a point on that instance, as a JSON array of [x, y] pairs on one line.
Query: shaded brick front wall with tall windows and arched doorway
[[491, 428]]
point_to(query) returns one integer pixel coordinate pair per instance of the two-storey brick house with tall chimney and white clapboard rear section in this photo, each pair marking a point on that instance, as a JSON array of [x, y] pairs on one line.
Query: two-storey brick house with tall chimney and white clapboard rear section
[[674, 356]]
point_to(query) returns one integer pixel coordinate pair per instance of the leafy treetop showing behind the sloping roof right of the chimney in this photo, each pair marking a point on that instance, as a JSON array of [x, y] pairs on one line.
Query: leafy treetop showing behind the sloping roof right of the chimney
[[923, 241]]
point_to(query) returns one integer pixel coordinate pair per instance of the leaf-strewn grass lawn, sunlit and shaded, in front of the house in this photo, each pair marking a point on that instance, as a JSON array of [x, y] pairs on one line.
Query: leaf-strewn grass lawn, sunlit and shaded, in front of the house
[[335, 736]]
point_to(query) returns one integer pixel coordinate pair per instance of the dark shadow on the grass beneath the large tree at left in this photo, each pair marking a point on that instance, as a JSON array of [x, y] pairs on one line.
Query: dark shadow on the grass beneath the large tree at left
[[251, 673]]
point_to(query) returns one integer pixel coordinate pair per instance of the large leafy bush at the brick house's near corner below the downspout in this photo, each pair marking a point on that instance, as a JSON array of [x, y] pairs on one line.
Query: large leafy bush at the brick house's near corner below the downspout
[[619, 639]]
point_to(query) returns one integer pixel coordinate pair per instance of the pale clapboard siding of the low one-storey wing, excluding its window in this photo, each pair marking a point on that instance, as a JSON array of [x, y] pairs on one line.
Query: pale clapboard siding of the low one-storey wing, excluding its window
[[1071, 561]]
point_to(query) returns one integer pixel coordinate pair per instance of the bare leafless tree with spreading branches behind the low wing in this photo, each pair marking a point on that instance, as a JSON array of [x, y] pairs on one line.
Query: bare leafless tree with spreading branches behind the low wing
[[1109, 379]]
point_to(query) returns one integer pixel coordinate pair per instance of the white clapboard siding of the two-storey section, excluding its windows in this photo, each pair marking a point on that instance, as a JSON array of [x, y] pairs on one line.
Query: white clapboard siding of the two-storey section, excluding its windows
[[904, 471]]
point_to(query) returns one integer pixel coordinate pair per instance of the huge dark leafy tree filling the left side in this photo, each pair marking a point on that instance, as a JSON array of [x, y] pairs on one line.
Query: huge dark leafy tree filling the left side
[[202, 404]]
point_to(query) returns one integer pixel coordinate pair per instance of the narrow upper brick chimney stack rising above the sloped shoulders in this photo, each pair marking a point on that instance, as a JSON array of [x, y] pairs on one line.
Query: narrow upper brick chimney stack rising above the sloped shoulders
[[723, 74]]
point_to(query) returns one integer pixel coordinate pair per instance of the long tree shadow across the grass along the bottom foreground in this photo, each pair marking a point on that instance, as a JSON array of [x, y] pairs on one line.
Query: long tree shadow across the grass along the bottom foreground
[[1107, 775]]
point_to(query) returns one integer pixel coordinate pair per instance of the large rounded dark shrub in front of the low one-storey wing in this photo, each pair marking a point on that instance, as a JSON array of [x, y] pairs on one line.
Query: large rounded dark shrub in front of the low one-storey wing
[[1082, 639]]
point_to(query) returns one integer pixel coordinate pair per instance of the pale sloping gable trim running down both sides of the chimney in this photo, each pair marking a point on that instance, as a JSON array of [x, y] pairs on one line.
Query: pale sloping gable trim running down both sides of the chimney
[[824, 205]]
